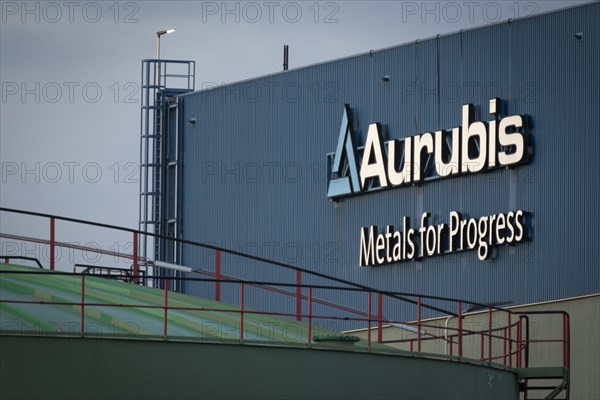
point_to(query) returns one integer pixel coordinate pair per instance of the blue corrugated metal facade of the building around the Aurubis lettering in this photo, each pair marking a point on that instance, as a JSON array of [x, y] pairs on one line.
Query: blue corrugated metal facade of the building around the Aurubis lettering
[[267, 140]]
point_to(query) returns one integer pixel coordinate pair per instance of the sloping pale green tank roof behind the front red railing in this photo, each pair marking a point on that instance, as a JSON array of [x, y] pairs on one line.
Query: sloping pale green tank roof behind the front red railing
[[107, 311]]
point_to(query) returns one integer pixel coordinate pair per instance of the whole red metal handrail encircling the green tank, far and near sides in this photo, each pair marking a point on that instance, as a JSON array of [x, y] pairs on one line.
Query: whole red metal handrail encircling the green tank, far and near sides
[[518, 343]]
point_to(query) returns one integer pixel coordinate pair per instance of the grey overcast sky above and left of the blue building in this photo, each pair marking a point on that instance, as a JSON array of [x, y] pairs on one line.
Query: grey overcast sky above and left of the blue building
[[70, 73]]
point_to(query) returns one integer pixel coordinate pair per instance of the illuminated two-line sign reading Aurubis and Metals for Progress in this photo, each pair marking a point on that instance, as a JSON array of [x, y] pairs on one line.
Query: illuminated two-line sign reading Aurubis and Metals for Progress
[[473, 147]]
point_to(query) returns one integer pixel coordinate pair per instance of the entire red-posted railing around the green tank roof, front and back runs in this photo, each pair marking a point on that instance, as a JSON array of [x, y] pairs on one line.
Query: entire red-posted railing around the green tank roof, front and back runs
[[511, 336]]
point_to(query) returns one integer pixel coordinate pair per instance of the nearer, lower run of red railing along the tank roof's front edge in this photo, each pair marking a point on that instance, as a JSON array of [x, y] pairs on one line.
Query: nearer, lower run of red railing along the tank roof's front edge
[[423, 328]]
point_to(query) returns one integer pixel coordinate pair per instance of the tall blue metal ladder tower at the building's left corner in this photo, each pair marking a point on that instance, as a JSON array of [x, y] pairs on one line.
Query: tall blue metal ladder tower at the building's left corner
[[161, 80]]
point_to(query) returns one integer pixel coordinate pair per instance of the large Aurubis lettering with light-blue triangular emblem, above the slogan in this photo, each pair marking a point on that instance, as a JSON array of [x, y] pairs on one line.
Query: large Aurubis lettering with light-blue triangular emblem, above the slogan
[[473, 147]]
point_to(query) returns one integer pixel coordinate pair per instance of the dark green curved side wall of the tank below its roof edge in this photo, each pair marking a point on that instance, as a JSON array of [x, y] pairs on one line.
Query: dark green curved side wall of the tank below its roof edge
[[75, 368]]
